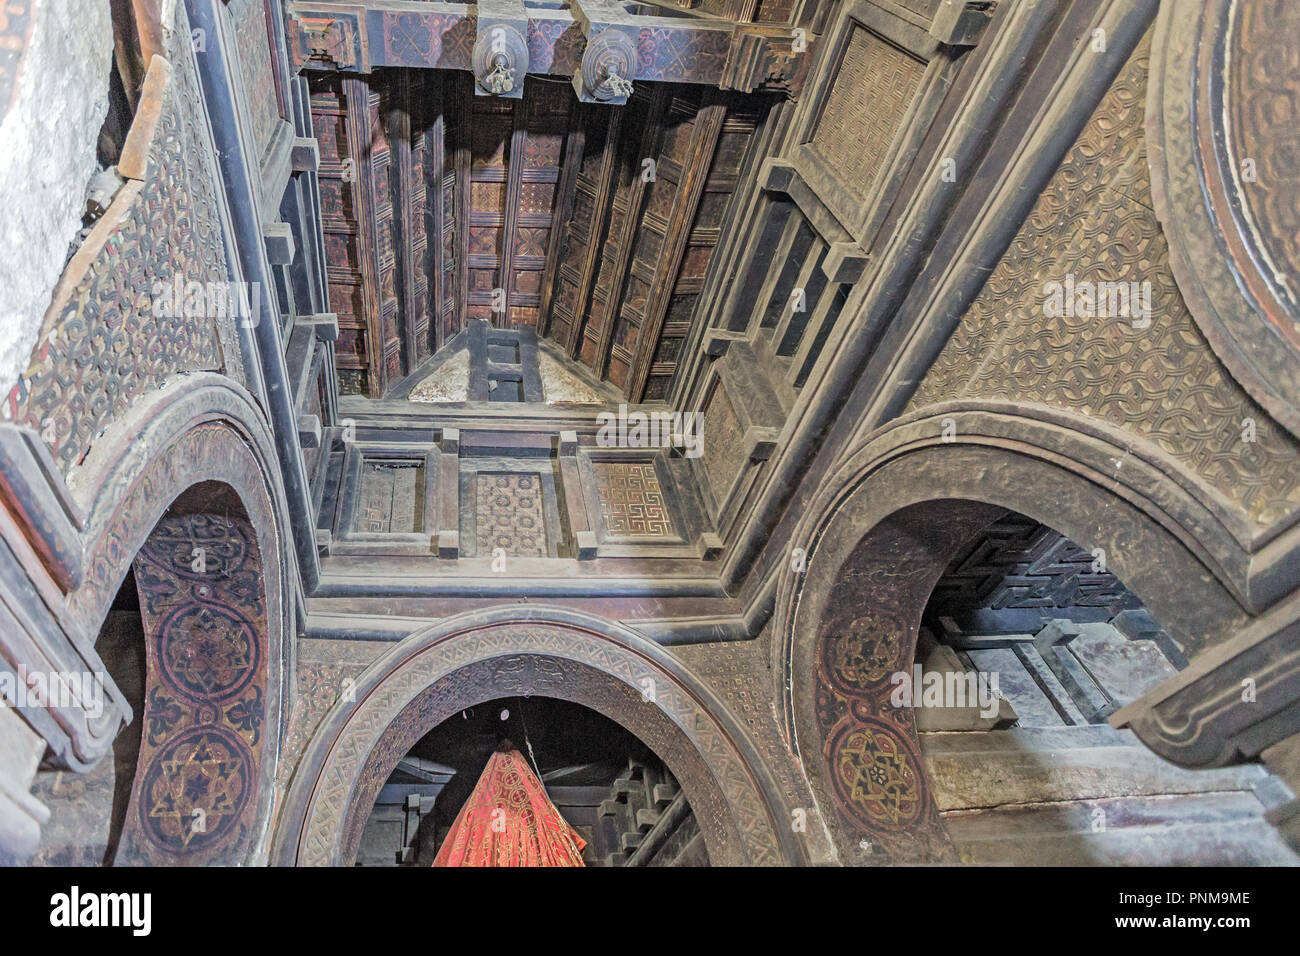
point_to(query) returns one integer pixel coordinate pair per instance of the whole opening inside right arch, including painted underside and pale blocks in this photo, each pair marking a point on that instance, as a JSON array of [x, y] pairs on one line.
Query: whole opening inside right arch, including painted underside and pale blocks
[[1019, 644]]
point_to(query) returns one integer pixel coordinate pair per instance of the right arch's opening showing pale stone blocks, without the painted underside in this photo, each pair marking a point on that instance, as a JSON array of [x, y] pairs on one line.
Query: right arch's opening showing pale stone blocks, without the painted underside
[[1028, 644]]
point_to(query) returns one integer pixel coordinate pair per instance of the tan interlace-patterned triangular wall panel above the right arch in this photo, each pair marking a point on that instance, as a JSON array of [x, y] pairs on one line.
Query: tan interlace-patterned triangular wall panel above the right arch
[[1095, 223]]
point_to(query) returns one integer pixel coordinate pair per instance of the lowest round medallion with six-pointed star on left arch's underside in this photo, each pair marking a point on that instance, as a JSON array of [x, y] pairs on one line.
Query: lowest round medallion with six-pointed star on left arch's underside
[[196, 790]]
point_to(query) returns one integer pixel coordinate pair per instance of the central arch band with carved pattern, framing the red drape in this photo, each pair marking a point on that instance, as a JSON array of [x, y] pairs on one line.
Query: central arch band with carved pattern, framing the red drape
[[547, 652]]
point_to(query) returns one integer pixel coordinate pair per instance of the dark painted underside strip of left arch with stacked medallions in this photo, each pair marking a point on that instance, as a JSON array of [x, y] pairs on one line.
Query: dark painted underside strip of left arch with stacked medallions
[[194, 799]]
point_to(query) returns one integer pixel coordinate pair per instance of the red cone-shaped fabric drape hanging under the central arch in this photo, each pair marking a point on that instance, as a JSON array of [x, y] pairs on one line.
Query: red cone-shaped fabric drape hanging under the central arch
[[509, 821]]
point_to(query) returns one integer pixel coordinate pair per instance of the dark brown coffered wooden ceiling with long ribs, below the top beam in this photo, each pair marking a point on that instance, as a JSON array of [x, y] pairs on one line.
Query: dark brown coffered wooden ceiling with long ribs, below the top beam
[[592, 224]]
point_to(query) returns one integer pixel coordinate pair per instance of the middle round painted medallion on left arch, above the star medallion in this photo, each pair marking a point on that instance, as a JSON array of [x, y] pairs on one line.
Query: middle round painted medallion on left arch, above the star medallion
[[207, 654]]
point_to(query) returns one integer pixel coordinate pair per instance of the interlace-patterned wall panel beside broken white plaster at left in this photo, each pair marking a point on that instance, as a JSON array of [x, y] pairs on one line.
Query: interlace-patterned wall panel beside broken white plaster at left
[[107, 348]]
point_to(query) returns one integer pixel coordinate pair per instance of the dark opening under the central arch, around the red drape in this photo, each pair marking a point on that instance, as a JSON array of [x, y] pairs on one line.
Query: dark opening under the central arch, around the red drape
[[608, 785]]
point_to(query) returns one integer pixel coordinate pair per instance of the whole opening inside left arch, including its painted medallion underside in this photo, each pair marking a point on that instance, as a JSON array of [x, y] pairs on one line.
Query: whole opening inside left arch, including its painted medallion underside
[[187, 641]]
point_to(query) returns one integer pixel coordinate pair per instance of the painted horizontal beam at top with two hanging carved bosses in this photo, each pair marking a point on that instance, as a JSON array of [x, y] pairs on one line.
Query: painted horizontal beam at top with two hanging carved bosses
[[596, 42]]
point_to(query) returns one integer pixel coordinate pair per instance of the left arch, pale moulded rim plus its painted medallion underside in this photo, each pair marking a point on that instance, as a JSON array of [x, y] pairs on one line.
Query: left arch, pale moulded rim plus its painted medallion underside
[[196, 461]]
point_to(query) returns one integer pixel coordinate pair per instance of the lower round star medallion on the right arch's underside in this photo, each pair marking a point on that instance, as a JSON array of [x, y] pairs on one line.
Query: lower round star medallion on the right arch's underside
[[878, 776]]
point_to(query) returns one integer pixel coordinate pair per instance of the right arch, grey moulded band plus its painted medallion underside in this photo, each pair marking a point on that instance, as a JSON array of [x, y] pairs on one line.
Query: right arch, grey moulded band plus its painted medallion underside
[[878, 537]]
